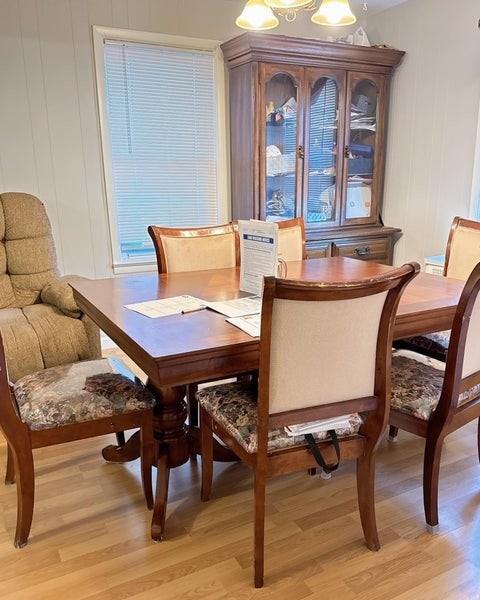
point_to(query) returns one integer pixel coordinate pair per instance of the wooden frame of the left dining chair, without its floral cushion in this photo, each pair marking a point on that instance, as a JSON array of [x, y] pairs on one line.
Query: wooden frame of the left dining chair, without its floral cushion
[[21, 441]]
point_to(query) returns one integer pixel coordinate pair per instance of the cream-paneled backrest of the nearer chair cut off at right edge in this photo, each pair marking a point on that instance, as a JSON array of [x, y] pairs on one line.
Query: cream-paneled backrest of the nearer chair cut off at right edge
[[462, 369]]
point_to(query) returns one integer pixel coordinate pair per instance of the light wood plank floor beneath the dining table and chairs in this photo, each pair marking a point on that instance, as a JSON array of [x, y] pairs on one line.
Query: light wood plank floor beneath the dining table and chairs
[[90, 535]]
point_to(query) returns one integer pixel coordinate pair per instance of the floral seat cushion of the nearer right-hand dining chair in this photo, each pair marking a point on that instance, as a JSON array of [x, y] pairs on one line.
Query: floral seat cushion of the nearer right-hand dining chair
[[417, 383]]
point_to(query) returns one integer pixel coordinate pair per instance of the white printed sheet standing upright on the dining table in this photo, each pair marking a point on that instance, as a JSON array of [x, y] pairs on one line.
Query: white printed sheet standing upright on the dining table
[[259, 254]]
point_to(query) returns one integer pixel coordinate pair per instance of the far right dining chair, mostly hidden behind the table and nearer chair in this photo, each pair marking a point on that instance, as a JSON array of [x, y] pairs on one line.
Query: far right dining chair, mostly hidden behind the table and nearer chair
[[462, 254]]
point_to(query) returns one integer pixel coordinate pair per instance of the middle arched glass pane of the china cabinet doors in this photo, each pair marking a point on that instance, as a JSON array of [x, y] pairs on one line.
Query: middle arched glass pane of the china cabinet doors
[[323, 164]]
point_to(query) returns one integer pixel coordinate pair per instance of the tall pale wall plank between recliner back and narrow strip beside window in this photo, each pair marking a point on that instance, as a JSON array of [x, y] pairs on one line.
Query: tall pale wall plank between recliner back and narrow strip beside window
[[57, 49]]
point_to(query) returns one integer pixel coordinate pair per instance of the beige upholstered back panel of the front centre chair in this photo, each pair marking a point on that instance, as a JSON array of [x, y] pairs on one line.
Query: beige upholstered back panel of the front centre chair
[[323, 351]]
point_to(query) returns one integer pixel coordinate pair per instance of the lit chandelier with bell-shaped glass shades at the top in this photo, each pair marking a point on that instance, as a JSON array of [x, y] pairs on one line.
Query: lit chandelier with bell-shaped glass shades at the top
[[259, 15]]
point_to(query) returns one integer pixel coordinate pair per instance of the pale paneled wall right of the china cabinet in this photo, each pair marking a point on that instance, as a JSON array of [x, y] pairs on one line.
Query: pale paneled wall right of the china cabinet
[[434, 110]]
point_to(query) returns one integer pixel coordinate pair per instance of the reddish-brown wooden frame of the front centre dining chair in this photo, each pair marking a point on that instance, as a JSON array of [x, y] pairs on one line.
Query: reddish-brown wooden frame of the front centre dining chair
[[375, 408]]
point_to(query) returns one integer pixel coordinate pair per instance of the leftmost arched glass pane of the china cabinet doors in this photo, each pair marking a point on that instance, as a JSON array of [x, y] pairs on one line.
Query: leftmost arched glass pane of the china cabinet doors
[[280, 144]]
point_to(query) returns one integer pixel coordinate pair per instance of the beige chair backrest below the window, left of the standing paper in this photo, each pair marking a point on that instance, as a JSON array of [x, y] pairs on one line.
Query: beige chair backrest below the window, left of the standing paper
[[195, 249]]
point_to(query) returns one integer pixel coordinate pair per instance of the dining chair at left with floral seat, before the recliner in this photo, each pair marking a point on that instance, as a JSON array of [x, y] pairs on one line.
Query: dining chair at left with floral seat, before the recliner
[[66, 403]]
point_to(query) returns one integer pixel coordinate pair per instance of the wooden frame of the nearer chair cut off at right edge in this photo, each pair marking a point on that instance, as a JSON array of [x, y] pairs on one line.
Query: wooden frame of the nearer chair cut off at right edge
[[448, 416]]
